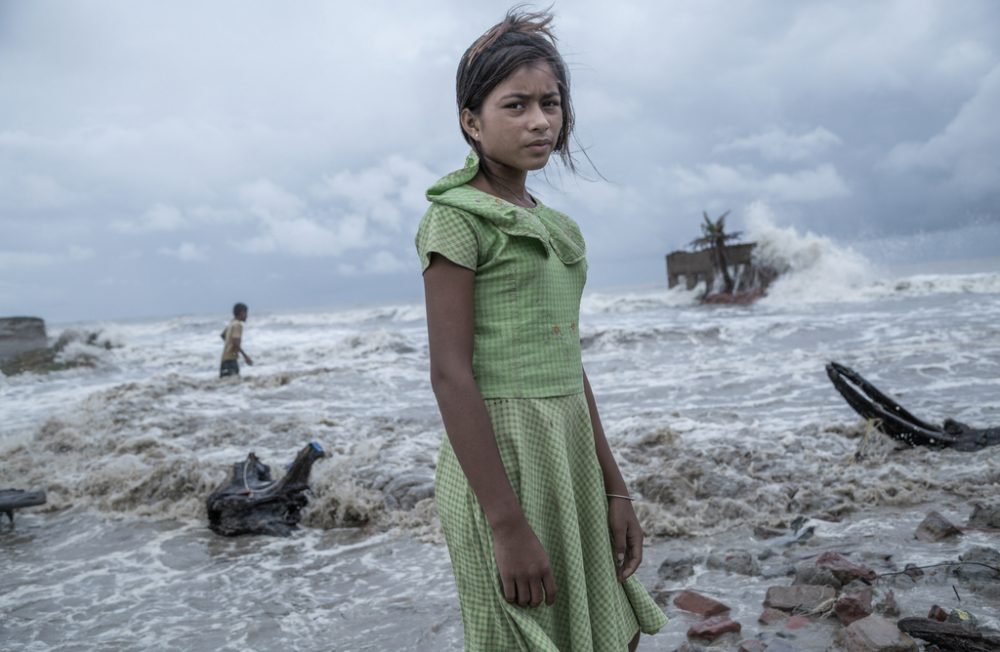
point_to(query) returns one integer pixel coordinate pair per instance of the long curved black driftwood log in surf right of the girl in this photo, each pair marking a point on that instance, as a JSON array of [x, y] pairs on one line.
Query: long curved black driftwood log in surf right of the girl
[[892, 419]]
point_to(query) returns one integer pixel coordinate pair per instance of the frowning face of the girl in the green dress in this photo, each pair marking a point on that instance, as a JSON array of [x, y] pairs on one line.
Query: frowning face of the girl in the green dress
[[520, 120]]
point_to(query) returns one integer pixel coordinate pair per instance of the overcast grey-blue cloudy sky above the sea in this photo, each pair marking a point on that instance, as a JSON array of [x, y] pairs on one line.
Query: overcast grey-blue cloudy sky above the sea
[[161, 158]]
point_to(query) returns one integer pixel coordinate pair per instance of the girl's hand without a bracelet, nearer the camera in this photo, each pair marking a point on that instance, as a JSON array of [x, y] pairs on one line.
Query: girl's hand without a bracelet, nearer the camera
[[525, 573]]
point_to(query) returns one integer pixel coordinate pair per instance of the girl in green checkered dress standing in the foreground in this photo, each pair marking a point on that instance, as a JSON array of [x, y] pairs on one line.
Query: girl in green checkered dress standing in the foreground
[[539, 523]]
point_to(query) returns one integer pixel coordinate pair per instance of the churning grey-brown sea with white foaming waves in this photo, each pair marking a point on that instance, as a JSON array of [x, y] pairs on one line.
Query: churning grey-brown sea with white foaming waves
[[722, 419]]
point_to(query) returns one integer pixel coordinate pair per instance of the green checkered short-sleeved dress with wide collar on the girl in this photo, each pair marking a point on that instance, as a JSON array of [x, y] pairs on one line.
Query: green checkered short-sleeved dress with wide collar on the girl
[[530, 271]]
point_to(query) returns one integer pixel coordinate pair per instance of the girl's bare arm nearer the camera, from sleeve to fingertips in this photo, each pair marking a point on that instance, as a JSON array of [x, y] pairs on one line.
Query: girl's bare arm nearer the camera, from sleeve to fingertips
[[523, 564]]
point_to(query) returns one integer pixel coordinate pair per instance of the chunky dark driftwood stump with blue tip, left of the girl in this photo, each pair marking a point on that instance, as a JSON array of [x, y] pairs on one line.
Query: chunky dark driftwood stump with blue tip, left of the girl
[[251, 502]]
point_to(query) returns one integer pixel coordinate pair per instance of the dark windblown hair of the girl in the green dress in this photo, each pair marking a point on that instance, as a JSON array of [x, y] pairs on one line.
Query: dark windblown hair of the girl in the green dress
[[520, 38]]
